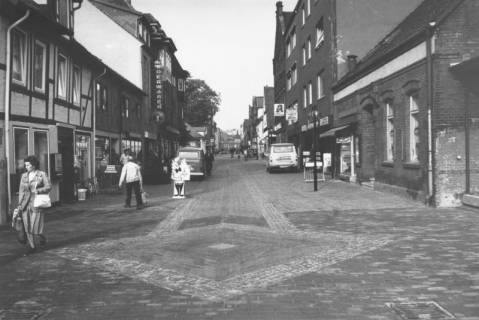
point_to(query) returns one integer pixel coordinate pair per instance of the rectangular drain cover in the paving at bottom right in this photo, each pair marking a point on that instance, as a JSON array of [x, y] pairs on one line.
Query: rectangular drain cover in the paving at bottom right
[[429, 310]]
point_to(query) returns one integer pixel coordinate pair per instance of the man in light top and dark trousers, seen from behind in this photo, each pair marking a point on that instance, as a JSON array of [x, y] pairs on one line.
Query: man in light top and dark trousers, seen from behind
[[132, 175]]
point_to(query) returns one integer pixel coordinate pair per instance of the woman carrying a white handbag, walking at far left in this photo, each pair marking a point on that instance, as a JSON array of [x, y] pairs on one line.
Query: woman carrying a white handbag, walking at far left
[[33, 182]]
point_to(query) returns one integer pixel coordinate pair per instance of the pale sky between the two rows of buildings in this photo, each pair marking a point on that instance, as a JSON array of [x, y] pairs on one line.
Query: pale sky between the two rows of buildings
[[227, 43]]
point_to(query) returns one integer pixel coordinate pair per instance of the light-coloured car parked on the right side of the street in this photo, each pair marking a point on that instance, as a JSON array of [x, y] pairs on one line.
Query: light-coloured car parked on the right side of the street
[[282, 156]]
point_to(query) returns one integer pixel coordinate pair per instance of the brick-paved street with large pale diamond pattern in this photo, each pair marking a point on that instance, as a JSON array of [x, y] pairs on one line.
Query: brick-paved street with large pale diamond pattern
[[246, 244]]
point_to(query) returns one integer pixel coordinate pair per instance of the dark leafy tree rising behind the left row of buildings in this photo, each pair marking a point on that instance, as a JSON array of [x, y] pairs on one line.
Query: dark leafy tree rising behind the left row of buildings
[[201, 101]]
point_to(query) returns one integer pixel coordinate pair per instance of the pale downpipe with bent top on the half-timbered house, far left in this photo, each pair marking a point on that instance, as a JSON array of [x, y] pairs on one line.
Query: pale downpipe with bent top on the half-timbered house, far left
[[7, 103]]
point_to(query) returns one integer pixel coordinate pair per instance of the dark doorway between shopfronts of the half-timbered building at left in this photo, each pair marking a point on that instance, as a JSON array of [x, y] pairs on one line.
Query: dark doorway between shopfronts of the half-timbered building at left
[[65, 147]]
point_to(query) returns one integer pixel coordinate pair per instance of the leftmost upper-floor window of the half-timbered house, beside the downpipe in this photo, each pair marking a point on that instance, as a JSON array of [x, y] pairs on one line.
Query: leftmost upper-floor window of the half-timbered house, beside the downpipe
[[19, 57]]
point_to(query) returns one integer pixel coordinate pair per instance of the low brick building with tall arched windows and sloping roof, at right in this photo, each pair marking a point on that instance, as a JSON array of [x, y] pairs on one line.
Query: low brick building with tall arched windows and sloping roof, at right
[[405, 109]]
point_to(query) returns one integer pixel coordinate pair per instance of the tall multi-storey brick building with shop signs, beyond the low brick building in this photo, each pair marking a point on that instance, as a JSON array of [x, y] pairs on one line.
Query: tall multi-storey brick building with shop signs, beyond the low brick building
[[312, 45]]
